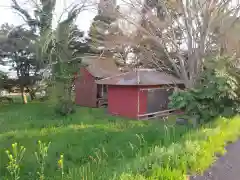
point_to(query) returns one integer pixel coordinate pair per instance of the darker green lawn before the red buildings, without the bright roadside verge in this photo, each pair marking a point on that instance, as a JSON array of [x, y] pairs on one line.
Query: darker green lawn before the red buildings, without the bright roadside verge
[[89, 136]]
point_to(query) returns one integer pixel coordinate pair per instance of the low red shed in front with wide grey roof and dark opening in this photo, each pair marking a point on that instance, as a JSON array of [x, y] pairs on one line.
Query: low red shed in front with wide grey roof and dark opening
[[139, 94]]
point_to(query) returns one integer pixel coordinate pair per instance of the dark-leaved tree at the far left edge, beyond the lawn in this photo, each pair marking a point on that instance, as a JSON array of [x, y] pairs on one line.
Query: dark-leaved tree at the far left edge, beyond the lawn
[[18, 49]]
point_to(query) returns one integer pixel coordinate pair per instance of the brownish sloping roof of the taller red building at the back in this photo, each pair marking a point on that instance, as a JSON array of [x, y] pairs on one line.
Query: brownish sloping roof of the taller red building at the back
[[101, 67]]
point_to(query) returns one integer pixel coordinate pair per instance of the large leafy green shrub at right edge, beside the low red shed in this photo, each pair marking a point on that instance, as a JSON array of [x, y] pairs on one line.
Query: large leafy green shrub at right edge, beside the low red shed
[[214, 95]]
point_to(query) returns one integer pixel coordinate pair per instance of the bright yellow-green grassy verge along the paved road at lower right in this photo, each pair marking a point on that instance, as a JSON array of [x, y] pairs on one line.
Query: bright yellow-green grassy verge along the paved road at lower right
[[193, 154]]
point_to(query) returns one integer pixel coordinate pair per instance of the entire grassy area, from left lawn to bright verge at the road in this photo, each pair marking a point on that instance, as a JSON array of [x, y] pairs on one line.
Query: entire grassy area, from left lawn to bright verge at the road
[[100, 147]]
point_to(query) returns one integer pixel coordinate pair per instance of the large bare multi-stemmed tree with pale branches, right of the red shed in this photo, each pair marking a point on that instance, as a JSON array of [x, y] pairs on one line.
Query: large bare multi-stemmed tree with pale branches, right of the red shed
[[183, 32]]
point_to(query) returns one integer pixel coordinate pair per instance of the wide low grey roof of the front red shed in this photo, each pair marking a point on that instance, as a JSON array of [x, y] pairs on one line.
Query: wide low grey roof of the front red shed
[[141, 77]]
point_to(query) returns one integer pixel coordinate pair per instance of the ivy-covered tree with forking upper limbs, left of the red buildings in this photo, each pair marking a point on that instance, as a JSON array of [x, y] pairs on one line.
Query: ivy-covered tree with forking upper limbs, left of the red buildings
[[53, 45]]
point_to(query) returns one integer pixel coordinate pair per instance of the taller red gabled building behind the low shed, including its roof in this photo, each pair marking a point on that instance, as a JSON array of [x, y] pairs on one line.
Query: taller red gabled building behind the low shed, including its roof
[[87, 92]]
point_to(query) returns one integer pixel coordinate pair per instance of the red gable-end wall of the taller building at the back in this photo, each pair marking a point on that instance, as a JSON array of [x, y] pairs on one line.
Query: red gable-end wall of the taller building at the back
[[86, 89]]
